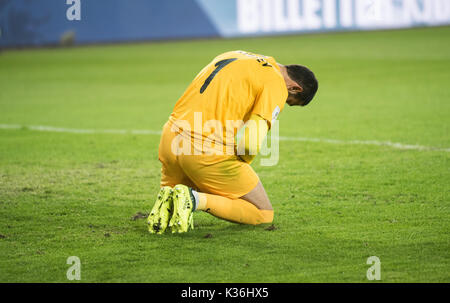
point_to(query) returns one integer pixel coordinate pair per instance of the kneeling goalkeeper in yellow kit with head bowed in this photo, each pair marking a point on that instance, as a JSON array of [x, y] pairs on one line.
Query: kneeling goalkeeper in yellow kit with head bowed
[[237, 89]]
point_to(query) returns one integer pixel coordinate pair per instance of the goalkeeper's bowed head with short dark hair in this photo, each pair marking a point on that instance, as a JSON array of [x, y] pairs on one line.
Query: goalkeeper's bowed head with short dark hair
[[303, 87]]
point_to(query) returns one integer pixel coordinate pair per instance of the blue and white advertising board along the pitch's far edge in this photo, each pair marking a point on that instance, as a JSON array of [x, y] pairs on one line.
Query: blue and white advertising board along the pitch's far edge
[[44, 22]]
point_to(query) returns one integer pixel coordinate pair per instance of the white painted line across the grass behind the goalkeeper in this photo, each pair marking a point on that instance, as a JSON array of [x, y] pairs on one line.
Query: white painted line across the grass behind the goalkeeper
[[281, 138]]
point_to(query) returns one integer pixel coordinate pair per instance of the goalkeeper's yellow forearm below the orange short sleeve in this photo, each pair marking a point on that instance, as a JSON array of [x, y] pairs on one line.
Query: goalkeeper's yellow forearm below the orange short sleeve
[[249, 145]]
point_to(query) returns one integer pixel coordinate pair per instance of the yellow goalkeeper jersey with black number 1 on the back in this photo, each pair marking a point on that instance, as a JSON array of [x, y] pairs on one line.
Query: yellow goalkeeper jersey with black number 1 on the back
[[224, 95]]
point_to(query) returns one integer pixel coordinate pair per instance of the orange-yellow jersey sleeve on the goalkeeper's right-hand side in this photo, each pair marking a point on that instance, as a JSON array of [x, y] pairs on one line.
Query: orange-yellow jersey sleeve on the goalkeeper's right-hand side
[[270, 100]]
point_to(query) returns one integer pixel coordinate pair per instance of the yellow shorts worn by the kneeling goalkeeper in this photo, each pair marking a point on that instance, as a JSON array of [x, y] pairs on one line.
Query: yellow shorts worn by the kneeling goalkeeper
[[224, 175]]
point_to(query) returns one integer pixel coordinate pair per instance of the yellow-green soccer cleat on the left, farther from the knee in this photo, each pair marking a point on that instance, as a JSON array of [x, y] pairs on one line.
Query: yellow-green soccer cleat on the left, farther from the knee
[[161, 212]]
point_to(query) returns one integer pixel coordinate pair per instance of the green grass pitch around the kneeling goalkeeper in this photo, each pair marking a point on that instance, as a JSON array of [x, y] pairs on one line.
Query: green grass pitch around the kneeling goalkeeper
[[74, 194]]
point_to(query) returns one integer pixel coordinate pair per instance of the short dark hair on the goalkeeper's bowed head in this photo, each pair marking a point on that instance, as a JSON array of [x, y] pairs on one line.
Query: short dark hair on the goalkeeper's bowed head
[[306, 79]]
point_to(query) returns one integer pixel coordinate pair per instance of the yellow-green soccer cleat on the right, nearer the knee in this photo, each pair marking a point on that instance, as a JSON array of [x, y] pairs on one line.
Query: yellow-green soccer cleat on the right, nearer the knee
[[183, 208]]
